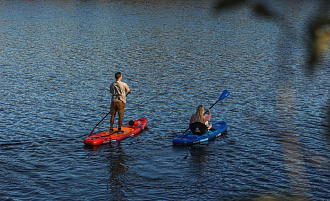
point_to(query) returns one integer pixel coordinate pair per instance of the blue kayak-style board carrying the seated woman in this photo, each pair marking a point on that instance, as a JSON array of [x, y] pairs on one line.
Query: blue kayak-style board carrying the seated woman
[[189, 138]]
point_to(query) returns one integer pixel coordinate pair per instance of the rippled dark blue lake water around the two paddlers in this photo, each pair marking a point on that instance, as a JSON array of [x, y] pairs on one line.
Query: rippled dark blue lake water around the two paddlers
[[58, 59]]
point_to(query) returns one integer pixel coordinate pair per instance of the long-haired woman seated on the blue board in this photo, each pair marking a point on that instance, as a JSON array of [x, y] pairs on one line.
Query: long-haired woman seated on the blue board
[[199, 121]]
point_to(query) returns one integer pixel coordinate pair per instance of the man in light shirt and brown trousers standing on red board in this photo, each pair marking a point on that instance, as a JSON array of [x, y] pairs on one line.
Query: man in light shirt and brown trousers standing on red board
[[118, 90]]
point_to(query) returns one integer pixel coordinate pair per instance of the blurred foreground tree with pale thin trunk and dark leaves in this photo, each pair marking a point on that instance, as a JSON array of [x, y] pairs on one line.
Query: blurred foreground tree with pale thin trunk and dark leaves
[[318, 35]]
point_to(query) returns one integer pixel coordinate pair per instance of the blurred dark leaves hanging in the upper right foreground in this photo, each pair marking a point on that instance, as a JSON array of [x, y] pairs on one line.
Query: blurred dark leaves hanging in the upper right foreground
[[318, 31]]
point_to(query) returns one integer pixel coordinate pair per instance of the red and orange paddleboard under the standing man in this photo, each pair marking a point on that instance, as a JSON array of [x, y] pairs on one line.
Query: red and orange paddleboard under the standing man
[[130, 129]]
